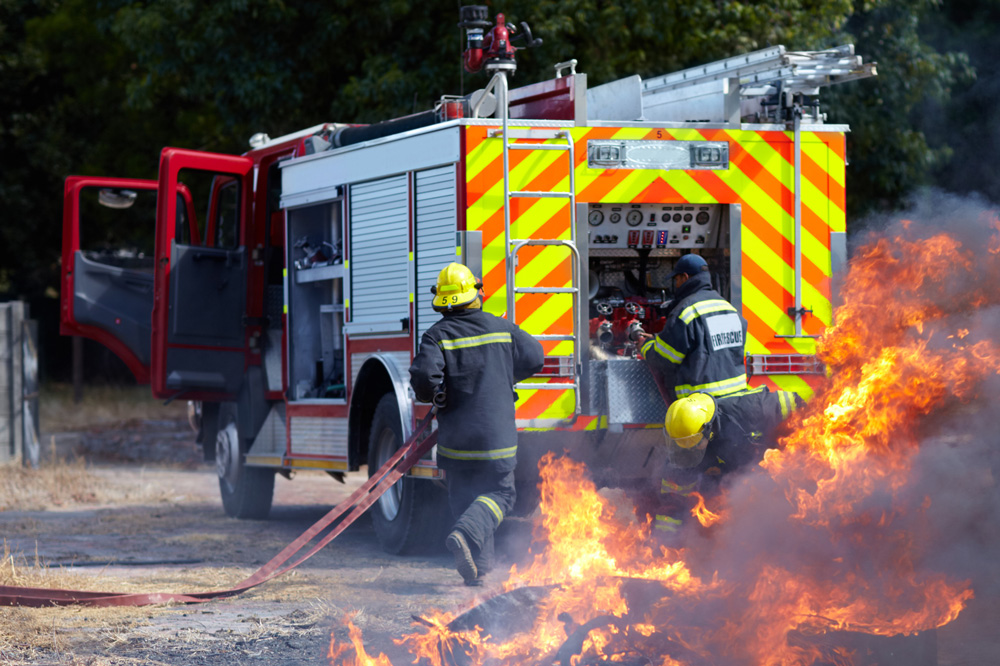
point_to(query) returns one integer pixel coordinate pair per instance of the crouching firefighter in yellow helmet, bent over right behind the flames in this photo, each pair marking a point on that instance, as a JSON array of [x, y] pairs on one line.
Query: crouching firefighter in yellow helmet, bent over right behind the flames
[[708, 437]]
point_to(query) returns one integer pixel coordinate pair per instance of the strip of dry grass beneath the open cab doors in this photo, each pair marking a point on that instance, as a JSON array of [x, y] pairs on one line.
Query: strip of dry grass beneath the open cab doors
[[101, 405]]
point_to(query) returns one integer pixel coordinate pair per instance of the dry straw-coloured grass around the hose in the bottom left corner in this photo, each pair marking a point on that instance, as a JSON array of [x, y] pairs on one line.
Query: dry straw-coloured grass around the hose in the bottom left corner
[[65, 634]]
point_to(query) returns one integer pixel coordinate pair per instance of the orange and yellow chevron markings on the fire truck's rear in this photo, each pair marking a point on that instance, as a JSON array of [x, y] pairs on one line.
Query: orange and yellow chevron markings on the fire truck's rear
[[760, 178]]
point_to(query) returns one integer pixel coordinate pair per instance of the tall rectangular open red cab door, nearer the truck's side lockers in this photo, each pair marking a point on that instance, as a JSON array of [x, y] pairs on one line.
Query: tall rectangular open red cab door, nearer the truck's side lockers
[[199, 342]]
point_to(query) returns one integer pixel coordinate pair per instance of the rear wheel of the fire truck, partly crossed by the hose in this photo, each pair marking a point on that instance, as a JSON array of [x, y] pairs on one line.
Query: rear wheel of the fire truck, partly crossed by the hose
[[412, 516]]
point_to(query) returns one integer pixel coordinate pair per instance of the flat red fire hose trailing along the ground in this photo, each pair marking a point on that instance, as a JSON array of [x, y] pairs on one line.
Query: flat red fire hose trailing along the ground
[[347, 512]]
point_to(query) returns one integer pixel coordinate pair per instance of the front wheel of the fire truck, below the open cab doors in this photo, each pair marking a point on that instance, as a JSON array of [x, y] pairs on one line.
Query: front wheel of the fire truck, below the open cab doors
[[247, 492]]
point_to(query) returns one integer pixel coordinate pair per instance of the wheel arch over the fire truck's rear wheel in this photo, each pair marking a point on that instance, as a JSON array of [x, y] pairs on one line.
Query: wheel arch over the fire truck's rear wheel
[[380, 374]]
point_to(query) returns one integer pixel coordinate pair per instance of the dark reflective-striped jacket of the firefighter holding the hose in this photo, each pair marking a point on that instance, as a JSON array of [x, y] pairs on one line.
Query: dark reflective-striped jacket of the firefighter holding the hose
[[478, 357]]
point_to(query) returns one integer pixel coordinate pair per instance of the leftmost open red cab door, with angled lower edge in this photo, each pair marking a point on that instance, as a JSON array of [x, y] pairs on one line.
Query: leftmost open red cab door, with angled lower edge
[[107, 265]]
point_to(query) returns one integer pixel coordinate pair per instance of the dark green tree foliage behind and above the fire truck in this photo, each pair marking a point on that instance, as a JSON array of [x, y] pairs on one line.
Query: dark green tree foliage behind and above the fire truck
[[100, 87]]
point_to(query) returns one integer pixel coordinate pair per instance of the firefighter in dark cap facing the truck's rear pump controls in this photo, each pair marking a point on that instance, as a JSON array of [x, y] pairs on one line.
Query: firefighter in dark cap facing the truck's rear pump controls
[[700, 348]]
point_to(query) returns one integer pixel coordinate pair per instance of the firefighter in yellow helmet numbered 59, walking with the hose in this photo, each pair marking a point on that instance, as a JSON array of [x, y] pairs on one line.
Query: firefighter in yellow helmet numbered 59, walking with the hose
[[468, 362]]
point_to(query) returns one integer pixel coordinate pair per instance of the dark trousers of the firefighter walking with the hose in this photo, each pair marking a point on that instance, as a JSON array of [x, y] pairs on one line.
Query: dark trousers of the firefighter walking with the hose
[[480, 500]]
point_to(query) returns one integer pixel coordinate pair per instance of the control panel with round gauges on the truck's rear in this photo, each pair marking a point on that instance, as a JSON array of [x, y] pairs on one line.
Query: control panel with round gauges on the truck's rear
[[653, 226]]
